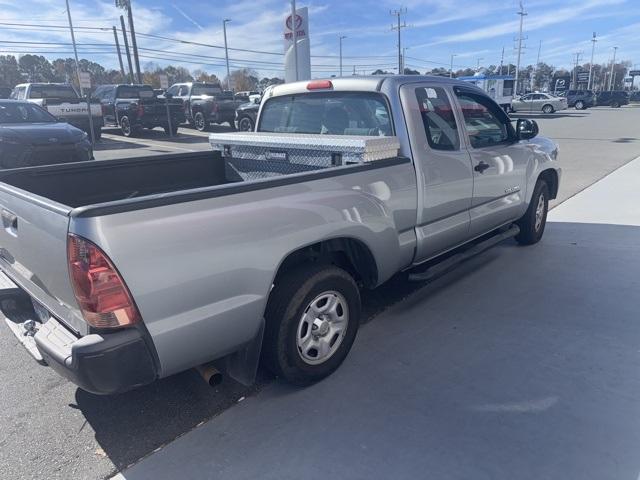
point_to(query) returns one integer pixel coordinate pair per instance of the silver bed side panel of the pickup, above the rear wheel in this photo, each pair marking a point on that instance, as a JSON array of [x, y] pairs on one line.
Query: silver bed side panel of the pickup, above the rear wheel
[[201, 271]]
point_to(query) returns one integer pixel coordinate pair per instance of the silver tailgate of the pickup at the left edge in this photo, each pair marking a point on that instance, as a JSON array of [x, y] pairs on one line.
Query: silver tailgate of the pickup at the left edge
[[33, 252]]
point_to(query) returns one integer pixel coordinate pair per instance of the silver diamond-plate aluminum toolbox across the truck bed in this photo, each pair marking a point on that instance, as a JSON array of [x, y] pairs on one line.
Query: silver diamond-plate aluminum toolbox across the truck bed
[[251, 155]]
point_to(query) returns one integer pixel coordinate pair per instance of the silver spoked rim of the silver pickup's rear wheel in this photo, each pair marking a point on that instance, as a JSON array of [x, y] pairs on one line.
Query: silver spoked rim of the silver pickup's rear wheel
[[322, 327]]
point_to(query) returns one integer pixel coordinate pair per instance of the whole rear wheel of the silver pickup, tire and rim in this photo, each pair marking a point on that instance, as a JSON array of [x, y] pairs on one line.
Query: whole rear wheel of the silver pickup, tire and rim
[[312, 318]]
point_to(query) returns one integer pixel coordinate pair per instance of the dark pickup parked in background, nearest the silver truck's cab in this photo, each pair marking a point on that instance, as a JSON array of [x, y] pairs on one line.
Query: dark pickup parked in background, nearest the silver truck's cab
[[204, 103]]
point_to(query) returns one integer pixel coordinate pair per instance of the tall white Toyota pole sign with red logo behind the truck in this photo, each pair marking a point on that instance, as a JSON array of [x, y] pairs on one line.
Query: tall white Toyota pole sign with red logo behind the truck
[[301, 25]]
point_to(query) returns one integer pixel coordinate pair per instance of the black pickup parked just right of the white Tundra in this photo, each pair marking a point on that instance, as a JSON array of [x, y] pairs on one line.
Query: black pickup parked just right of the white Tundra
[[134, 107]]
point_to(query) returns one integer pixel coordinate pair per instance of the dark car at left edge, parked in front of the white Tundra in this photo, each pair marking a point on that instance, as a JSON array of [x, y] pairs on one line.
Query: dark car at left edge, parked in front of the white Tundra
[[29, 136]]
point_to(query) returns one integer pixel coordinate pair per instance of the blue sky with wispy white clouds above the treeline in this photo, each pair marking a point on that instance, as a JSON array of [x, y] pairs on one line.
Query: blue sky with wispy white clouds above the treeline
[[474, 30]]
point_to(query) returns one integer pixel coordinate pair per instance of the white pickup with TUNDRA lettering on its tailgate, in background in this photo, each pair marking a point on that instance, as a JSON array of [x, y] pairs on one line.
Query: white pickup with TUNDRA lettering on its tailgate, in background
[[63, 102]]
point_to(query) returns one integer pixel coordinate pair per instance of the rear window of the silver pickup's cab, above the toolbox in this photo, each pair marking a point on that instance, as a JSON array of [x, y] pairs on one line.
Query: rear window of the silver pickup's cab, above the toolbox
[[334, 113]]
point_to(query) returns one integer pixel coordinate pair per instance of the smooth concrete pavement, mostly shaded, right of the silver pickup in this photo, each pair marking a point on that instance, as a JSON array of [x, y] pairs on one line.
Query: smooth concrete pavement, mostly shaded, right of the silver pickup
[[523, 363]]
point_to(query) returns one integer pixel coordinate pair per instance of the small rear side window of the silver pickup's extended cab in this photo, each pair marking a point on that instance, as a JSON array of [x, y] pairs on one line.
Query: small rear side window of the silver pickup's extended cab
[[438, 118]]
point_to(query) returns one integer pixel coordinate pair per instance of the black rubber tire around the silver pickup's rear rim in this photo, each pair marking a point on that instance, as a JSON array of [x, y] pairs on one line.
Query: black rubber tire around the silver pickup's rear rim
[[291, 297]]
